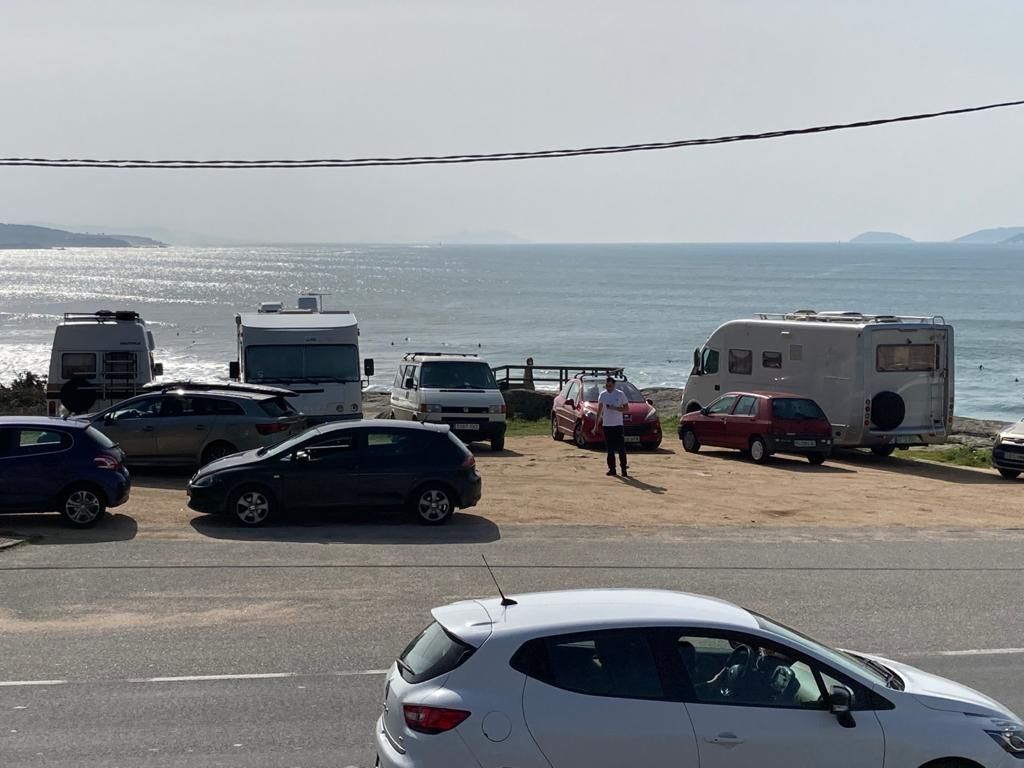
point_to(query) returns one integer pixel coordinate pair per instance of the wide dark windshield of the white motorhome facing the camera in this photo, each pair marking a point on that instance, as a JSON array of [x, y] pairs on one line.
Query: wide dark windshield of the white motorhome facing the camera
[[285, 363]]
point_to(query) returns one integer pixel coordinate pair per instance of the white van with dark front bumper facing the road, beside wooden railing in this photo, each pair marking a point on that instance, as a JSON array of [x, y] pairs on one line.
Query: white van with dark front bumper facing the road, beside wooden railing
[[456, 390]]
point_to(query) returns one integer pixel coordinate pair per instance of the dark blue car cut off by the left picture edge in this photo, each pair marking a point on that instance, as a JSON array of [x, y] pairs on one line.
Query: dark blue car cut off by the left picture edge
[[53, 465]]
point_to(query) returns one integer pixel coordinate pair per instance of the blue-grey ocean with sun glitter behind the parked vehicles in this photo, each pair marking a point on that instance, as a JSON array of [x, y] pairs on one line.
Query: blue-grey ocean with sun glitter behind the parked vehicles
[[642, 307]]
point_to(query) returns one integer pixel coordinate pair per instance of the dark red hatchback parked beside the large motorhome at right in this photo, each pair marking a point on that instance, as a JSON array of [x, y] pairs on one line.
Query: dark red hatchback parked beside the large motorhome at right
[[760, 425]]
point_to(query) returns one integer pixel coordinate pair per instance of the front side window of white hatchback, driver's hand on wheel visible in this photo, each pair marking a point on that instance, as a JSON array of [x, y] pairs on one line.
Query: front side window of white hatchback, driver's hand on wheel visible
[[735, 670]]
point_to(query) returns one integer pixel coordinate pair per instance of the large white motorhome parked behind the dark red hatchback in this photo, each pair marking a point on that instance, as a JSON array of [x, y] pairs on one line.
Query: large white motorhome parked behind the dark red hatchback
[[883, 381]]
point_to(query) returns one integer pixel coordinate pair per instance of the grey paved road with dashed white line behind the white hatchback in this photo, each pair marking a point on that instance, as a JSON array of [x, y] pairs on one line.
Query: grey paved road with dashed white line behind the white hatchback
[[267, 651]]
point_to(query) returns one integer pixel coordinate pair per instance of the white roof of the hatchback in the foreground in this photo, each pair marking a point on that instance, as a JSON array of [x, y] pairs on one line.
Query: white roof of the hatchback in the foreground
[[574, 611]]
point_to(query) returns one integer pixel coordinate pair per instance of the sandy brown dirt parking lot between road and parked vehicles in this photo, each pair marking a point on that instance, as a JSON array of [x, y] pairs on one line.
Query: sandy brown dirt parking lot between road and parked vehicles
[[538, 482]]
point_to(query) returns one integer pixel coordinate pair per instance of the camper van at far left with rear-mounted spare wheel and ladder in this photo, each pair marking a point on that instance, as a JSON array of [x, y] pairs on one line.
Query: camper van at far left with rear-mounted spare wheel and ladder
[[99, 359]]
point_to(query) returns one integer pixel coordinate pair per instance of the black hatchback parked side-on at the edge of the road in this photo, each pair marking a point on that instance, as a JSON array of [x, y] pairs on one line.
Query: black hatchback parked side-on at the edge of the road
[[346, 464]]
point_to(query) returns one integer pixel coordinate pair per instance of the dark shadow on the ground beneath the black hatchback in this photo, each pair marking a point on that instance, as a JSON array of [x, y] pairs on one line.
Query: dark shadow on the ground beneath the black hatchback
[[353, 527]]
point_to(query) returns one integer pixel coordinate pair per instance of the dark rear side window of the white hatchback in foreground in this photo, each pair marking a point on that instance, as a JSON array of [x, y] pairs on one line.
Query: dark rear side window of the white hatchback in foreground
[[606, 663]]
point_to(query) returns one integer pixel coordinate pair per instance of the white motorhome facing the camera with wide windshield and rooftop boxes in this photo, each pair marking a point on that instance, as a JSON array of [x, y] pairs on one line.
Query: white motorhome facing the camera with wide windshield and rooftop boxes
[[313, 352]]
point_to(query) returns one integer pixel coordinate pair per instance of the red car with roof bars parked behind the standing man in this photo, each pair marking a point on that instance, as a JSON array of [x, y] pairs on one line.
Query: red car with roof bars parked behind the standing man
[[575, 413]]
